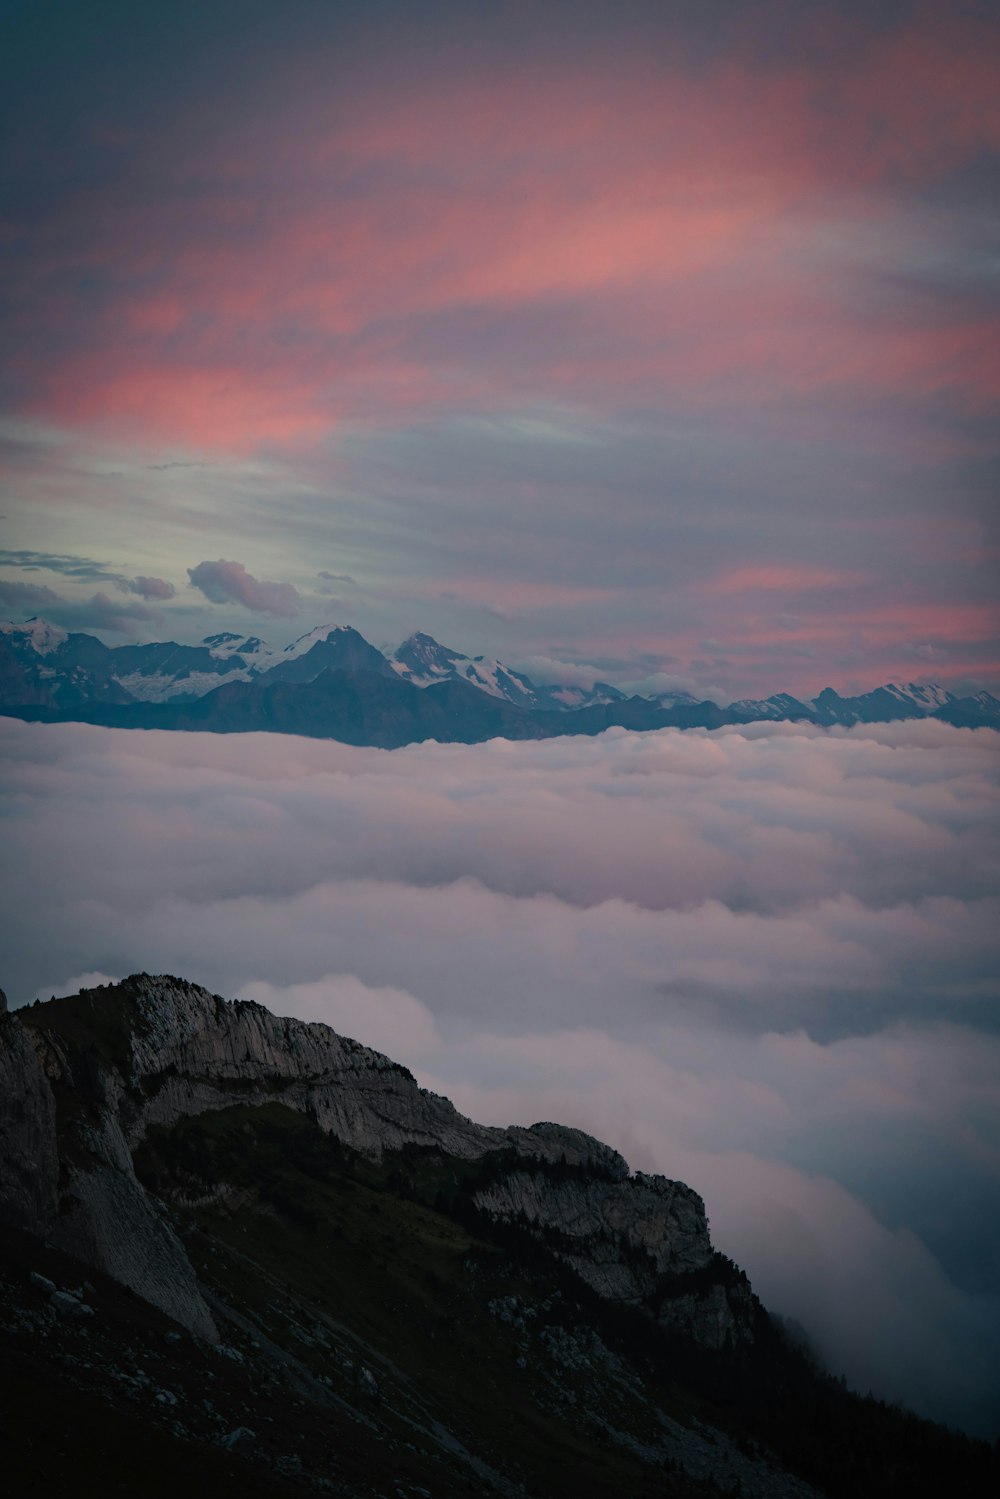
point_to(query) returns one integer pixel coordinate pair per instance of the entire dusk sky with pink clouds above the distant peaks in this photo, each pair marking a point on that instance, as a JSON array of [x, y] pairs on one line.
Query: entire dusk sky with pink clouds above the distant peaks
[[645, 343]]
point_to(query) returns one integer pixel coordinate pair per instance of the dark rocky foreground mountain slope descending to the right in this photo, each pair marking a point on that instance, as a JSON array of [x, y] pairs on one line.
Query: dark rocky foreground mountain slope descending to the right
[[245, 1255]]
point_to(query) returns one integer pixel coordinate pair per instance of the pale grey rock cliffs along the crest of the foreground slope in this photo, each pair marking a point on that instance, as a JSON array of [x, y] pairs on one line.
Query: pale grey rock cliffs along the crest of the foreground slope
[[83, 1082]]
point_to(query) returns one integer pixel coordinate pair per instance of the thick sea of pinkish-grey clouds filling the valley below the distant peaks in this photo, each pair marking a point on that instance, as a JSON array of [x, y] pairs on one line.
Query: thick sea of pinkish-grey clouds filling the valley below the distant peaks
[[761, 960]]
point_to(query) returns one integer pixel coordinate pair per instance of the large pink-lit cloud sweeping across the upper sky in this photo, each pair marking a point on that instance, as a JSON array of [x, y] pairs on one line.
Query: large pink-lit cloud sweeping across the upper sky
[[677, 209]]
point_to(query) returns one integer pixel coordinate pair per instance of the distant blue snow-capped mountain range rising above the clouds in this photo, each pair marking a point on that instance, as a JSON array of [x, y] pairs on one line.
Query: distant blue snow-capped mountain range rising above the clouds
[[332, 683]]
